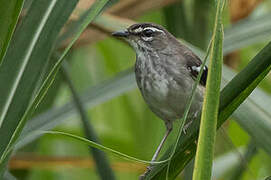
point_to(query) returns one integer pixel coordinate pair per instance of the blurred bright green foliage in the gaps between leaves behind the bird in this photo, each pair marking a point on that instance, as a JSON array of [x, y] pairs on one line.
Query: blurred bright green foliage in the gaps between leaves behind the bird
[[125, 123]]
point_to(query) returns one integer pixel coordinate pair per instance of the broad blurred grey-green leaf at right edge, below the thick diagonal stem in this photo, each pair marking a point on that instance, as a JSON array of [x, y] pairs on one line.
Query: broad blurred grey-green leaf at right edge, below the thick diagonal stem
[[254, 118]]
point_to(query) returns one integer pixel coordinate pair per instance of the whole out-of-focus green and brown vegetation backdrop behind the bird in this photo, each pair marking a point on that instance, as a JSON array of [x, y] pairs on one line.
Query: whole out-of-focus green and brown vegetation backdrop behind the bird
[[94, 94]]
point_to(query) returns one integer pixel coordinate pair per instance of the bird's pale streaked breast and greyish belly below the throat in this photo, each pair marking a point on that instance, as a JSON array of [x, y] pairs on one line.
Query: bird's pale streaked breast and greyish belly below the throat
[[166, 96]]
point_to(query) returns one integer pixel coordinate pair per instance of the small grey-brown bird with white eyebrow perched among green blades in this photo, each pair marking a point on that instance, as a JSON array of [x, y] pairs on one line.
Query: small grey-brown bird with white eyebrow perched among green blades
[[165, 72]]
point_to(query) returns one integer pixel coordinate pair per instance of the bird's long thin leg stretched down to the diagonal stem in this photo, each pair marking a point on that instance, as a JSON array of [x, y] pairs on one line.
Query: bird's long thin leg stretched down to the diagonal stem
[[169, 129]]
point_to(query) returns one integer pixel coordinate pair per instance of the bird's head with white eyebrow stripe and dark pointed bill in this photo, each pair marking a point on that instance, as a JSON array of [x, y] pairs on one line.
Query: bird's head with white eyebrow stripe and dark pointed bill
[[146, 37]]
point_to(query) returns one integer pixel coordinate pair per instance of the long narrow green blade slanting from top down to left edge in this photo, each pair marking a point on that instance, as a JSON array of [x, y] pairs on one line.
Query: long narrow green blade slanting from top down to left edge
[[7, 148]]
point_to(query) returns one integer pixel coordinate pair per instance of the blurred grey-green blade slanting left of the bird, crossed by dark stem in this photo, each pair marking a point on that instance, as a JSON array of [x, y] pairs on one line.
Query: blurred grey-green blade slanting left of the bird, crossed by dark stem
[[103, 92]]
